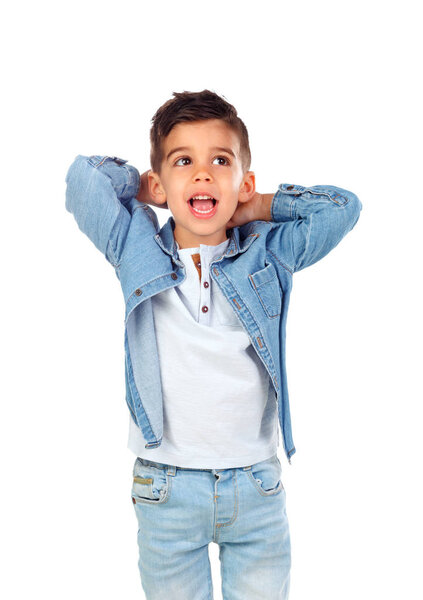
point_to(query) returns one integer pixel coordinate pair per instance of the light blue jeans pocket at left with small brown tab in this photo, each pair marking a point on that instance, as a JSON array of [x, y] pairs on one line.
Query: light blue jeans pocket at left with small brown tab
[[150, 484]]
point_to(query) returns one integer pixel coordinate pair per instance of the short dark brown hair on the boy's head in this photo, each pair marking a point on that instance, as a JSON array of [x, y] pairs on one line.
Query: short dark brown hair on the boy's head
[[195, 106]]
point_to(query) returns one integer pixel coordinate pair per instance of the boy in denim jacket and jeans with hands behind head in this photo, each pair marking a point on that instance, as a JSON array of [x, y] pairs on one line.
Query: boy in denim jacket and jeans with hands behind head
[[206, 302]]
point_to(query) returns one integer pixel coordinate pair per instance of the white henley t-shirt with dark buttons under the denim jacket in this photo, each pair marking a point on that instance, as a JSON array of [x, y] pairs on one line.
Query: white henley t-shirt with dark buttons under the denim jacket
[[219, 406]]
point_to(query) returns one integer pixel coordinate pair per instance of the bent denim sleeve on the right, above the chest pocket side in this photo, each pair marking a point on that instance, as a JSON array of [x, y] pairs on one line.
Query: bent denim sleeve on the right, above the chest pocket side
[[310, 222]]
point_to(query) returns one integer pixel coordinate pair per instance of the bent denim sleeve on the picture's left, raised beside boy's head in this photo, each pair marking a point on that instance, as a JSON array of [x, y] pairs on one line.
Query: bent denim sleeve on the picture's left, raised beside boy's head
[[97, 193]]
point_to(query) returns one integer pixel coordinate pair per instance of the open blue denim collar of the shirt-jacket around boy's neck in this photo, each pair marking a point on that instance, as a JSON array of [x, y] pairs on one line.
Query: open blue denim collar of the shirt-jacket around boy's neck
[[237, 243]]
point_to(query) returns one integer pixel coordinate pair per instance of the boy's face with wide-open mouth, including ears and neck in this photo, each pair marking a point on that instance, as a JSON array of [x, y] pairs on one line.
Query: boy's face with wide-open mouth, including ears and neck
[[201, 168]]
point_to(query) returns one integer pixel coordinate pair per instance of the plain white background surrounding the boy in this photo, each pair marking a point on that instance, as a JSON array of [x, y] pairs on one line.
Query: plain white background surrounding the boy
[[330, 92]]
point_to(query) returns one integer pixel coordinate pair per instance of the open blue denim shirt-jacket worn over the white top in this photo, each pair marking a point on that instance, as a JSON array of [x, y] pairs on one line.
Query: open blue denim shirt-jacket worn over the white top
[[254, 274]]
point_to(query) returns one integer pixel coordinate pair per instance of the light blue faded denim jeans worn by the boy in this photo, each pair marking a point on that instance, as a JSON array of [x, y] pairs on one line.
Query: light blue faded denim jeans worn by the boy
[[181, 510]]
